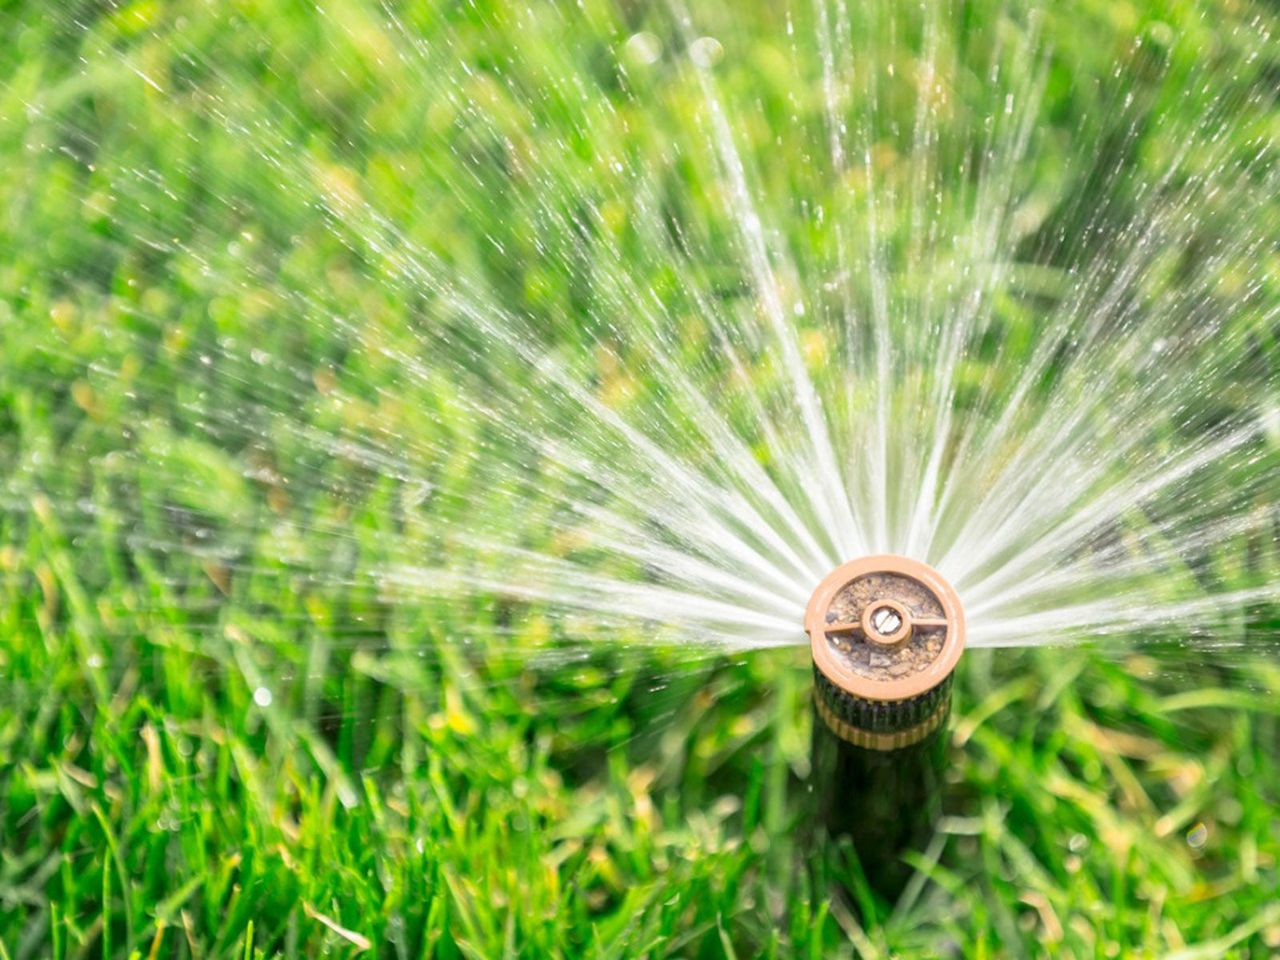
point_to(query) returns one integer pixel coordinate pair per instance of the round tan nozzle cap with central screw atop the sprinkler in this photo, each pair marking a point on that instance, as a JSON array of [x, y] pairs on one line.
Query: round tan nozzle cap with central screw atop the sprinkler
[[885, 628]]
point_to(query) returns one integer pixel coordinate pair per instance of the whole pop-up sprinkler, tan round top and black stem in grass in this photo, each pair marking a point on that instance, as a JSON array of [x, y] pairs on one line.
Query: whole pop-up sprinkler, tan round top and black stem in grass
[[886, 634]]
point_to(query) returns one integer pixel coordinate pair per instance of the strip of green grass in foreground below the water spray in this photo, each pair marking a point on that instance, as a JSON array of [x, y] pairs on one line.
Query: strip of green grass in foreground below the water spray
[[465, 806]]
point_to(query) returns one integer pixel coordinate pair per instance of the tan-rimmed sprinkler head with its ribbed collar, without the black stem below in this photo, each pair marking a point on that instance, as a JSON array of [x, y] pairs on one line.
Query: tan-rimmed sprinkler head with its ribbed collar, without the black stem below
[[886, 634]]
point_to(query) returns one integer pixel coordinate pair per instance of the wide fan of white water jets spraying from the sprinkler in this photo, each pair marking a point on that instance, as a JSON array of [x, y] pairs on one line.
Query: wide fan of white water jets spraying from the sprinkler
[[671, 385]]
